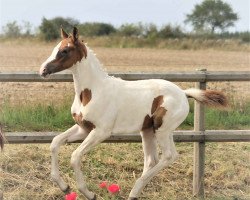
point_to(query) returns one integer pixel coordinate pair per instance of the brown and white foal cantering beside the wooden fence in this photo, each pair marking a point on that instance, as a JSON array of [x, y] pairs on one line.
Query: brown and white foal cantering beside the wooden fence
[[105, 105]]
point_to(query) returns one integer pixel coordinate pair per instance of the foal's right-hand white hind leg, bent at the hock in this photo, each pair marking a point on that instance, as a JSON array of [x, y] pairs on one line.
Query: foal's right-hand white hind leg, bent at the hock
[[169, 154]]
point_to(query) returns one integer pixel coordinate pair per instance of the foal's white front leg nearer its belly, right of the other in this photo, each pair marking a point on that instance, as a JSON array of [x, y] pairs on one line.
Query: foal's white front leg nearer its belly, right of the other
[[94, 138]]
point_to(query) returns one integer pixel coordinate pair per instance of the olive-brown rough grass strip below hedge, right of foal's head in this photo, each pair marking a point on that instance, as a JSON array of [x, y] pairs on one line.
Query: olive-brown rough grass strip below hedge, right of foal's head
[[174, 43]]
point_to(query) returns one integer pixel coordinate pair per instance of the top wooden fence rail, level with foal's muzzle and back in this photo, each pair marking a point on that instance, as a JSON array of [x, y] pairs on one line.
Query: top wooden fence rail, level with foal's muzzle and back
[[199, 76]]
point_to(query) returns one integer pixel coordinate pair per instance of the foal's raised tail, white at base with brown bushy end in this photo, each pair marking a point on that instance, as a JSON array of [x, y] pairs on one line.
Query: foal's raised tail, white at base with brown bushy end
[[210, 98]]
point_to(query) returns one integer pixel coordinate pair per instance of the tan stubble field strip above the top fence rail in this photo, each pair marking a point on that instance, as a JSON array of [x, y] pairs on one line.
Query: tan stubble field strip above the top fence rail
[[28, 57]]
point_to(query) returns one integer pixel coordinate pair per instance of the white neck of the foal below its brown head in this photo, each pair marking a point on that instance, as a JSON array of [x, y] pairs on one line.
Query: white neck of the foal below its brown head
[[88, 73]]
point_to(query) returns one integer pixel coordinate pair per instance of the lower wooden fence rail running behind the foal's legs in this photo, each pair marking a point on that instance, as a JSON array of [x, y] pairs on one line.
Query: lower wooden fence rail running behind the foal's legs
[[179, 136]]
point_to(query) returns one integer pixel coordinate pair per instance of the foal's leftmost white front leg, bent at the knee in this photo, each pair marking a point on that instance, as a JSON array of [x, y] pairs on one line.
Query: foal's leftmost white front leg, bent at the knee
[[73, 134]]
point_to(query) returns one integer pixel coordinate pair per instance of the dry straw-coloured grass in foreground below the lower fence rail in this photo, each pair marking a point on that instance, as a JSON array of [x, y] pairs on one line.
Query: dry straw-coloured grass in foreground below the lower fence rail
[[26, 170]]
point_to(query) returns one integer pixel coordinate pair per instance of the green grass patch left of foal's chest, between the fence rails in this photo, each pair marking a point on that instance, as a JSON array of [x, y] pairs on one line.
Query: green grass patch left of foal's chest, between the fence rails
[[36, 117]]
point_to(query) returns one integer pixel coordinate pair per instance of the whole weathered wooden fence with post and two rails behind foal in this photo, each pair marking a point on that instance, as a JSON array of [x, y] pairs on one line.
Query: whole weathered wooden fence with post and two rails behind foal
[[199, 136]]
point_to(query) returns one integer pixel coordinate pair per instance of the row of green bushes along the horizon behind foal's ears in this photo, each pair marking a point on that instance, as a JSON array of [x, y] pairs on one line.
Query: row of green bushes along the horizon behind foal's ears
[[49, 30]]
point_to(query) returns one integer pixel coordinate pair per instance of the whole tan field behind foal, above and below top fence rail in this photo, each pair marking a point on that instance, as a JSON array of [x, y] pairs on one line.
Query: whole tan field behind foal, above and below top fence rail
[[28, 57]]
